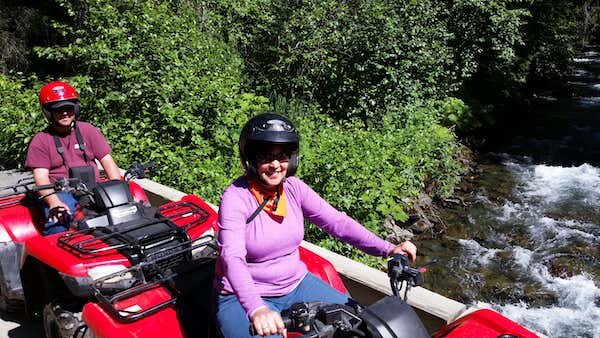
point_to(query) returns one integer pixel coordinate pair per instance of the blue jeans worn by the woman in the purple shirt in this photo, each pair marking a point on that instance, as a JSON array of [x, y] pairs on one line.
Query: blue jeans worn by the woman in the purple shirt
[[232, 318]]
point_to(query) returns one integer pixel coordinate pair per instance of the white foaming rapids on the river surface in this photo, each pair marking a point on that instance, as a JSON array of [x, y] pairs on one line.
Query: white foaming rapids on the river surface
[[542, 190]]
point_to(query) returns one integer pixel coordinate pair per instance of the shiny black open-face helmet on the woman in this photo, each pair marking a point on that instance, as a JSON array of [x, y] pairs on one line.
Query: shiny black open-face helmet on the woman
[[267, 129]]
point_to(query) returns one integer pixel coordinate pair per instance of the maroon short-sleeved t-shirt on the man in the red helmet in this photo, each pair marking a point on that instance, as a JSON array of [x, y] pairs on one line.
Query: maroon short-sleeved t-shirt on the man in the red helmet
[[42, 152]]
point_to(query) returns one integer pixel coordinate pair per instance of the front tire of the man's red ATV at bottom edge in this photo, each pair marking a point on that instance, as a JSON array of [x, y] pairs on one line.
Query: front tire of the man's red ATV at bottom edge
[[62, 323]]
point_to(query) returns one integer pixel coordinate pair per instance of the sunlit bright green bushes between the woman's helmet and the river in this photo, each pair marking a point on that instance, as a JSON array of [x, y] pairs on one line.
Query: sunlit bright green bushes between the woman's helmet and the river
[[371, 174]]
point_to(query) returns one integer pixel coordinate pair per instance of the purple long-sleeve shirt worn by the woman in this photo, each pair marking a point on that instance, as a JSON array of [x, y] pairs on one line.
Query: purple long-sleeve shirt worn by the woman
[[261, 258]]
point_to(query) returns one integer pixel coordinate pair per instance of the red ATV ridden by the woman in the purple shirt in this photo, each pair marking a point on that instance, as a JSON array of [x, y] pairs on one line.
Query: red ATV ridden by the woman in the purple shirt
[[128, 314]]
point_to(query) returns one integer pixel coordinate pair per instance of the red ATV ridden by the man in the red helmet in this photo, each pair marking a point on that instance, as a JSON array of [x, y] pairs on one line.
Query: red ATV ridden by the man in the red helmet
[[117, 232]]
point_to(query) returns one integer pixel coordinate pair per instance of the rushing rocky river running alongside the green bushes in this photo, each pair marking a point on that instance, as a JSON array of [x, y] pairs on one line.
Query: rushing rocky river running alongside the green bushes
[[527, 243]]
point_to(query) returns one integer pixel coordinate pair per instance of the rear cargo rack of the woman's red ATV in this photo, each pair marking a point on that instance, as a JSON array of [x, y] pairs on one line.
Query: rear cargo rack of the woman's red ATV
[[145, 297]]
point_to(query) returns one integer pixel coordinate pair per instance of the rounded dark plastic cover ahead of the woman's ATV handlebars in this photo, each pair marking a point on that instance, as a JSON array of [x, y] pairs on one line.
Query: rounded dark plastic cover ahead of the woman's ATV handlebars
[[391, 317]]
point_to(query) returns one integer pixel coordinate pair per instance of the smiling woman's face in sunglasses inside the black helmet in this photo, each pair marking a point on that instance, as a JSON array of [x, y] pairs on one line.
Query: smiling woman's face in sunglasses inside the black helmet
[[272, 164]]
